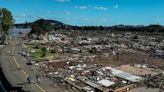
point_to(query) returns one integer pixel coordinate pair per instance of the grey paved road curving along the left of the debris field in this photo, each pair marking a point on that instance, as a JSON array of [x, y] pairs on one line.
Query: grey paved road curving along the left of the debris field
[[16, 71]]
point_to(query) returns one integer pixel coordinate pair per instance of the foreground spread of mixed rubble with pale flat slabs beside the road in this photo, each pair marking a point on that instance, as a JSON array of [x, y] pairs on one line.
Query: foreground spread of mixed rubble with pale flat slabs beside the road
[[94, 77]]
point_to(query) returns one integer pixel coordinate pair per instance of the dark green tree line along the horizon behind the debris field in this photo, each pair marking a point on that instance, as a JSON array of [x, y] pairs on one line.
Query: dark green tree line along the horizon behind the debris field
[[42, 27]]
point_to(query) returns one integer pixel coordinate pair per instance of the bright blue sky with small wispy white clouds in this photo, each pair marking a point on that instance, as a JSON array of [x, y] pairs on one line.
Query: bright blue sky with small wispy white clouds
[[88, 12]]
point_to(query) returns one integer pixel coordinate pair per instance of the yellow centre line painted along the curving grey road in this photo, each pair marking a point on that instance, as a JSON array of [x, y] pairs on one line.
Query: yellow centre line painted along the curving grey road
[[24, 71]]
